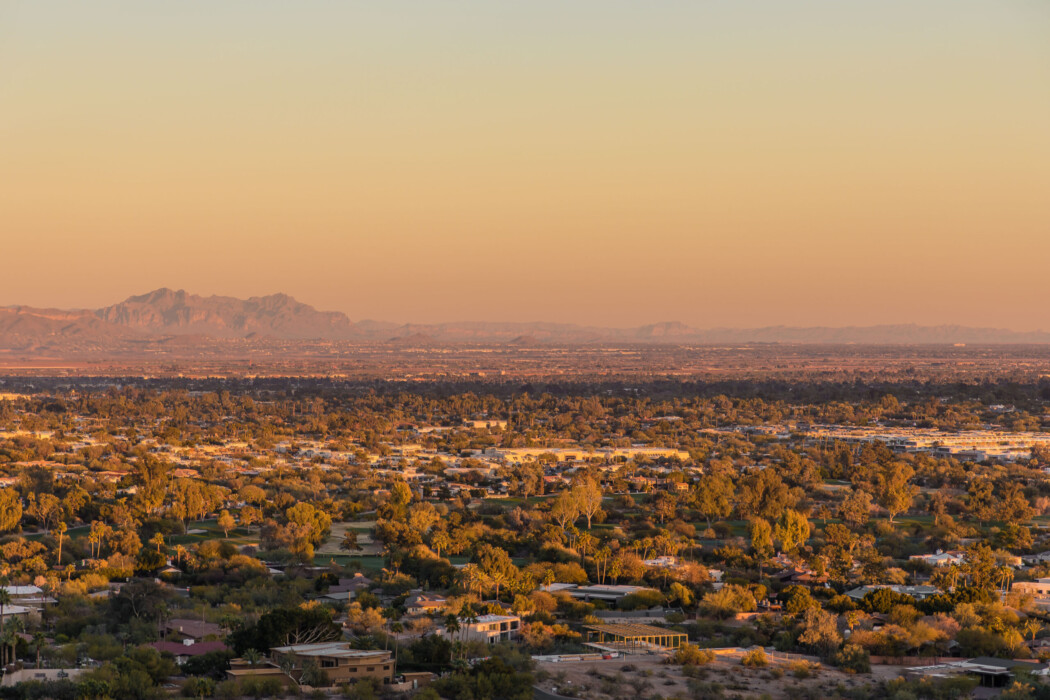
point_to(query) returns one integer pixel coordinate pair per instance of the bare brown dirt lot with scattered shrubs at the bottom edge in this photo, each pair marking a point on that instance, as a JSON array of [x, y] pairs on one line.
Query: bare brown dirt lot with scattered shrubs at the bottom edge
[[647, 676]]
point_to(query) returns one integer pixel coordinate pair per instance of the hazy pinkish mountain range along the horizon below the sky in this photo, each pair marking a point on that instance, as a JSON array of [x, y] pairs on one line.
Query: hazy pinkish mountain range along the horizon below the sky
[[179, 319]]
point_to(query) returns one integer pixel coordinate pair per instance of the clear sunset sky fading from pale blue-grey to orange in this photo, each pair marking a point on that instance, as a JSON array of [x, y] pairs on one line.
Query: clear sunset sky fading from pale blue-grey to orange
[[721, 163]]
